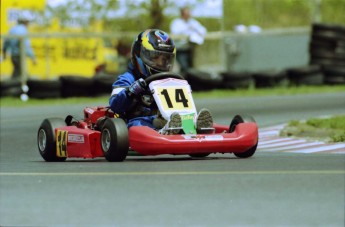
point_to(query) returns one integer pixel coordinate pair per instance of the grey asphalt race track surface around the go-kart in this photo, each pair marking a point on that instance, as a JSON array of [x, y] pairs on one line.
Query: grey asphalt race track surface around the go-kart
[[269, 189]]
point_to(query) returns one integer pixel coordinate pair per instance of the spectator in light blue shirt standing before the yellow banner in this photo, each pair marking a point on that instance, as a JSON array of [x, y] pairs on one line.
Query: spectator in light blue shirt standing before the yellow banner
[[12, 45]]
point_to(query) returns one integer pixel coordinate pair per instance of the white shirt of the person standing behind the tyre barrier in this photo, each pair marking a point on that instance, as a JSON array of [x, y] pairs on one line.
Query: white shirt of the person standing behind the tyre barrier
[[191, 28]]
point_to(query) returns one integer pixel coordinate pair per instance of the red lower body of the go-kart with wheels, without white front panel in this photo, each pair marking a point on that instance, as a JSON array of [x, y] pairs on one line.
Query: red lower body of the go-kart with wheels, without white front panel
[[83, 139]]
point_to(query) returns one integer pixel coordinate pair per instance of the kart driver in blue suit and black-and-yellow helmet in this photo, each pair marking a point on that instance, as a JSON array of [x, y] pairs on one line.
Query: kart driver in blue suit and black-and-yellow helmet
[[152, 52]]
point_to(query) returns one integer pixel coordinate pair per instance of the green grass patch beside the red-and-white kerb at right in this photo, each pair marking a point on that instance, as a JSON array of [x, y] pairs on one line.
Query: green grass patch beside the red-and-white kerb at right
[[330, 129]]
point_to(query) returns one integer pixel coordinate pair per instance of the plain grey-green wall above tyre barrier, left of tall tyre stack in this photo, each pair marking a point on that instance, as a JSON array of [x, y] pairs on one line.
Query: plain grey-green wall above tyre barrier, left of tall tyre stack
[[278, 49]]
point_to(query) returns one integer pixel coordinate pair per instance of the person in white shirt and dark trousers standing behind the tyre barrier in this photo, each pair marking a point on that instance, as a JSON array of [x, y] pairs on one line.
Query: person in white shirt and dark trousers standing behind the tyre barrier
[[192, 33]]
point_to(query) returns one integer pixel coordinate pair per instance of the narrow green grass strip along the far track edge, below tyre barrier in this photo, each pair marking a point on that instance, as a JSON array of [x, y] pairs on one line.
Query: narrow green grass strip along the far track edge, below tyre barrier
[[16, 102]]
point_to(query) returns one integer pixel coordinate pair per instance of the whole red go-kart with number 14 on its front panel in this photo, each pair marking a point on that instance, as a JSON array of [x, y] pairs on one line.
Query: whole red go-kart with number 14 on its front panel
[[101, 133]]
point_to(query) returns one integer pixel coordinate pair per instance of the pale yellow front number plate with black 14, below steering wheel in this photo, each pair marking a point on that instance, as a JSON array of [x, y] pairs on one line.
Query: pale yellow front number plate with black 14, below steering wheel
[[175, 98]]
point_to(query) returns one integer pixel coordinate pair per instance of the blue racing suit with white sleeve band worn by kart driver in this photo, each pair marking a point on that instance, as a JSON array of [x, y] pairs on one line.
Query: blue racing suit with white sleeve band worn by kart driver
[[124, 104]]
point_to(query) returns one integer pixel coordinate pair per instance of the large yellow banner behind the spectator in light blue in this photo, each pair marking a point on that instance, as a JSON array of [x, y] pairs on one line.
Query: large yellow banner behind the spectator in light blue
[[57, 56]]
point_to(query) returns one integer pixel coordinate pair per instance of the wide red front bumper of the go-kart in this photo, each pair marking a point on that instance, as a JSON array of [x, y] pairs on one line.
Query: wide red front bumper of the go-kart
[[149, 142]]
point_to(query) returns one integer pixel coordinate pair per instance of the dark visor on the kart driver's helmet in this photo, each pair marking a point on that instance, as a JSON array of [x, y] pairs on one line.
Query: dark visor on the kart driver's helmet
[[159, 60]]
